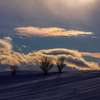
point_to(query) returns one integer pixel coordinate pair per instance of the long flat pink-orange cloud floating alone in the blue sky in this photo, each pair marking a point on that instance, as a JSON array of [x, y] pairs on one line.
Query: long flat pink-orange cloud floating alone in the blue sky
[[53, 31]]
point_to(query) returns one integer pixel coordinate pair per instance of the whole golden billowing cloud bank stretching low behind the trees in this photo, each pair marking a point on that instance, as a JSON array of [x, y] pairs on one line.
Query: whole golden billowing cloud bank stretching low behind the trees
[[73, 58]]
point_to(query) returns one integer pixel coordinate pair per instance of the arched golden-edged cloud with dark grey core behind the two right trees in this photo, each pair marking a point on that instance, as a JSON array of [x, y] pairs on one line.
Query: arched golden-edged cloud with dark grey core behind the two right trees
[[73, 58]]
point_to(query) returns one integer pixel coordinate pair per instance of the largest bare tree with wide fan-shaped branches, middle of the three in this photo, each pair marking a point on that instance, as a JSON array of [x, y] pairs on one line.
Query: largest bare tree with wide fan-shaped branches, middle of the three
[[46, 64]]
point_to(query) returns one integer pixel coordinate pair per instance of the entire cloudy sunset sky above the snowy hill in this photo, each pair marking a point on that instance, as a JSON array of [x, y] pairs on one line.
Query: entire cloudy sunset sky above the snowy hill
[[30, 29]]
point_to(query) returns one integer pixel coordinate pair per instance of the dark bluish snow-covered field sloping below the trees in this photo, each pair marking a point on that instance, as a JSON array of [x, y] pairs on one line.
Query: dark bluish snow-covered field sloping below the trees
[[71, 85]]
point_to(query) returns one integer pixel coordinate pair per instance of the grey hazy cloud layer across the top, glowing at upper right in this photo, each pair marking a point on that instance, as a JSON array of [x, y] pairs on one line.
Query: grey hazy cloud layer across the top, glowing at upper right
[[68, 14]]
